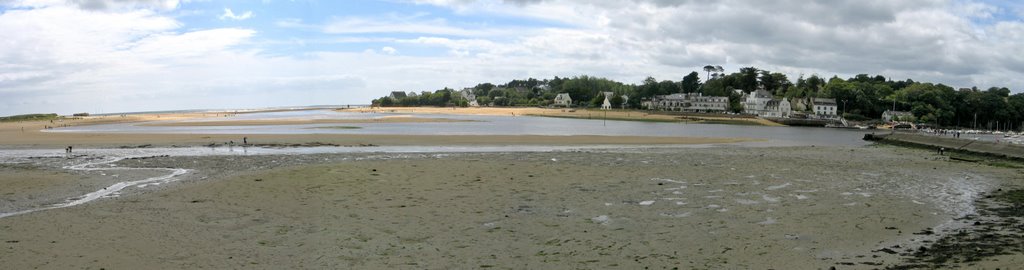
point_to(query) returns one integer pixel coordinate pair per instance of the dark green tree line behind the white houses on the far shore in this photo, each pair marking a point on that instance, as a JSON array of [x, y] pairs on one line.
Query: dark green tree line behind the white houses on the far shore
[[860, 98]]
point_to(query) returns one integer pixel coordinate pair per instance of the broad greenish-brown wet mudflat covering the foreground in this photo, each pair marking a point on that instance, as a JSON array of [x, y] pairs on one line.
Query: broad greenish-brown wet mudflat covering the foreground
[[721, 208]]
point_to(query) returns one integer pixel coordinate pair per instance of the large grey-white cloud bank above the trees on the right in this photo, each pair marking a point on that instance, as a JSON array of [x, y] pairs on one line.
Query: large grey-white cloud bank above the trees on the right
[[934, 40]]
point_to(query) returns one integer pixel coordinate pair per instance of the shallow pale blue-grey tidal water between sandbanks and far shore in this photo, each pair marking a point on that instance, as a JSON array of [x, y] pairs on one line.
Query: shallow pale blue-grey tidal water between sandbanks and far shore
[[500, 125]]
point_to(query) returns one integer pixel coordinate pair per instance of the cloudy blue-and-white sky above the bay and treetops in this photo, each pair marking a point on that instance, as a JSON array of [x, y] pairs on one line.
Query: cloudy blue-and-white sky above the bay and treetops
[[101, 57]]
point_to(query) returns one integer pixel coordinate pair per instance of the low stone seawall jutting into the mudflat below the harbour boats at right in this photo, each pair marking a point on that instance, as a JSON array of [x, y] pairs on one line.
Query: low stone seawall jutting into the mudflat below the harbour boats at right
[[1014, 152]]
